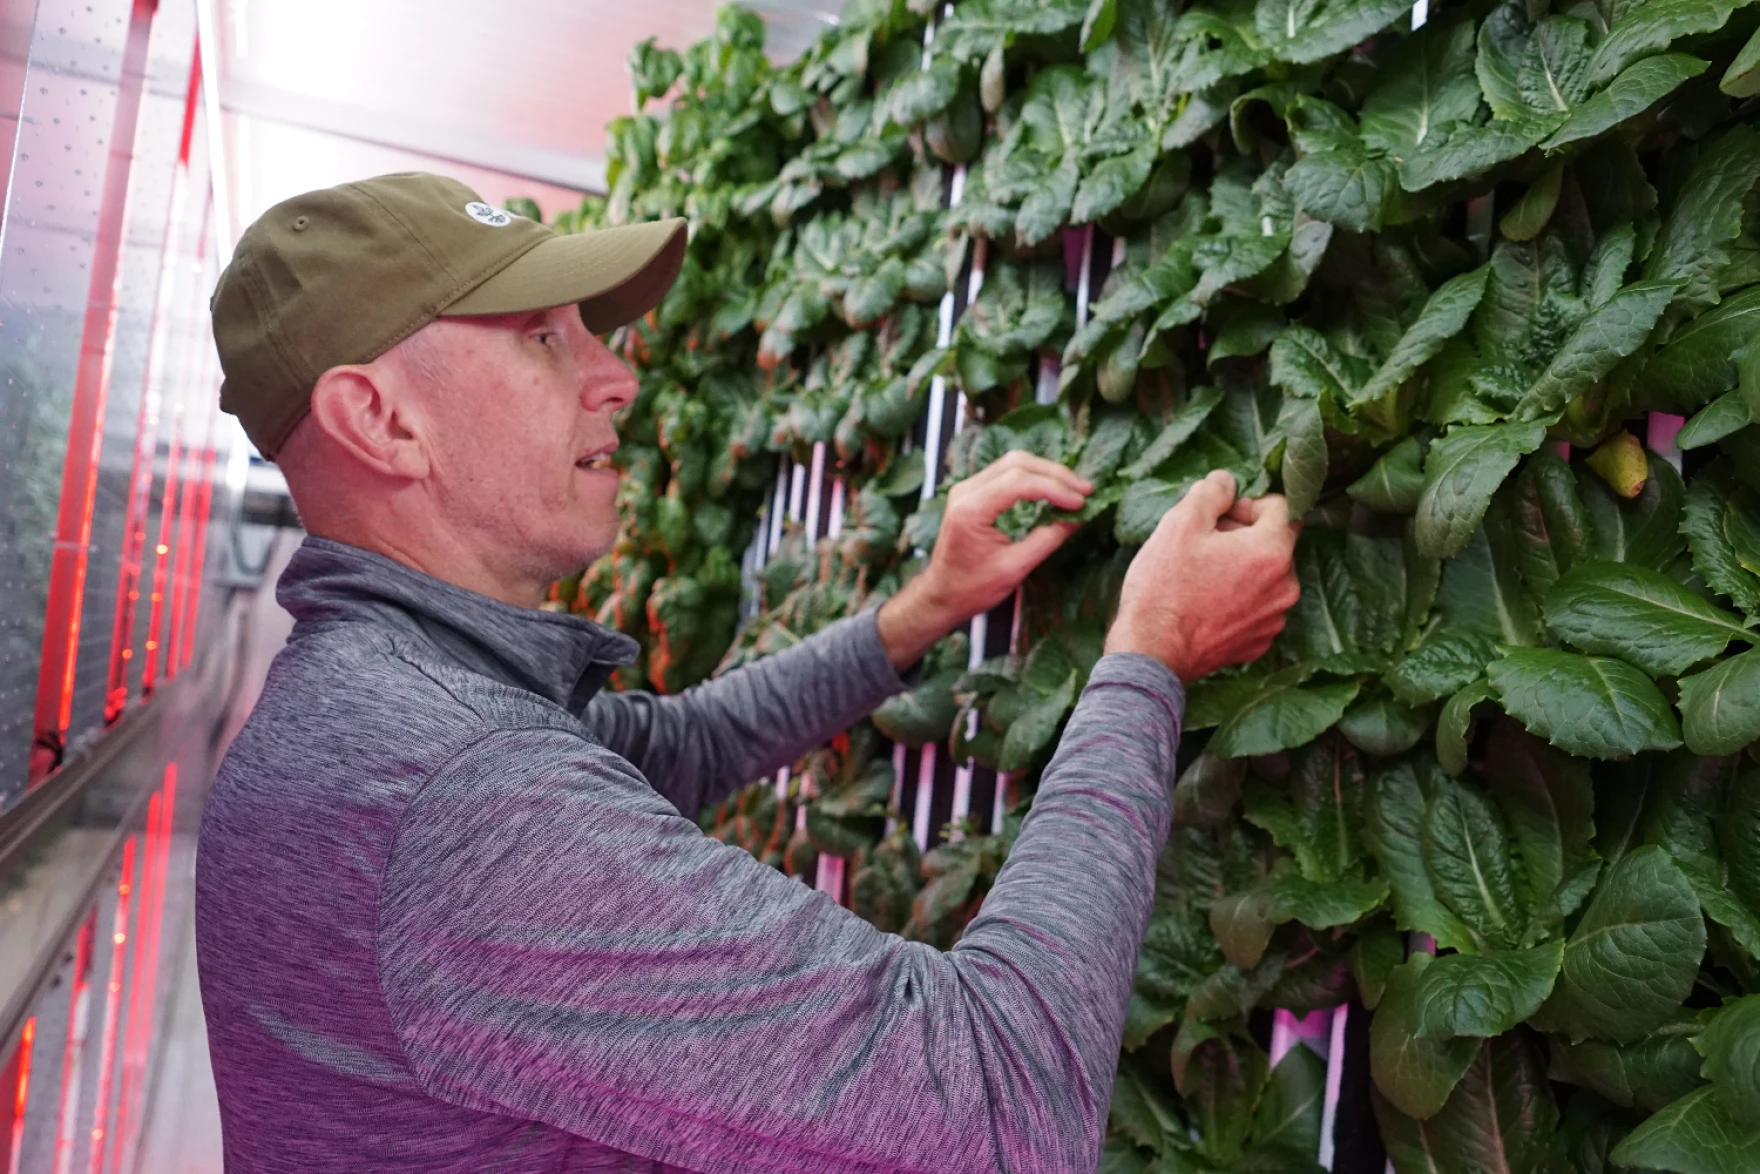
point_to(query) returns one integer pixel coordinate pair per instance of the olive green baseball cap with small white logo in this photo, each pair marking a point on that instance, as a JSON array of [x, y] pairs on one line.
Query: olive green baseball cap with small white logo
[[346, 274]]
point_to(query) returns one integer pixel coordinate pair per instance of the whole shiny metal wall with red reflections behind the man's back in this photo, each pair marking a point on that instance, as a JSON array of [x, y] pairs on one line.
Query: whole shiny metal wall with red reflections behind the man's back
[[112, 464]]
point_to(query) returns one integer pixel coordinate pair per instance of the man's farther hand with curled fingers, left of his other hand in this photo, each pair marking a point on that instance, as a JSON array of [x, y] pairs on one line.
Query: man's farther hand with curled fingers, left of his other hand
[[974, 564]]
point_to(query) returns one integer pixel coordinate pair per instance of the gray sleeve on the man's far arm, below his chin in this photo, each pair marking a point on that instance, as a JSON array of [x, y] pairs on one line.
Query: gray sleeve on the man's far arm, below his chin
[[700, 745]]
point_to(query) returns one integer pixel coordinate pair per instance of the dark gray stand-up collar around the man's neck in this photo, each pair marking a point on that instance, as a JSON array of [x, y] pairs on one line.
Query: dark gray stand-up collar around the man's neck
[[564, 659]]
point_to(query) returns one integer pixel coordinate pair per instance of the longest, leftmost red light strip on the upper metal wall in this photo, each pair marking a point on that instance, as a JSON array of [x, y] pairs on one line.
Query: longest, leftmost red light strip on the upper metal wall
[[85, 430]]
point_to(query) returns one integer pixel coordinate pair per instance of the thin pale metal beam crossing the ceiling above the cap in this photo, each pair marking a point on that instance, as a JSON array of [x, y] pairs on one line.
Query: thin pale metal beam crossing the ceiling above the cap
[[365, 126]]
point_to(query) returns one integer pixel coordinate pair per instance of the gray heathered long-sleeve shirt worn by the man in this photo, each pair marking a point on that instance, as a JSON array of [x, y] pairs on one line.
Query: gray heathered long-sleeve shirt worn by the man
[[453, 913]]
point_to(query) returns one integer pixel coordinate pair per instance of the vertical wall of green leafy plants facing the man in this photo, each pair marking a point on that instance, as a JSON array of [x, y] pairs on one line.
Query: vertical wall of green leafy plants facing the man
[[1478, 288]]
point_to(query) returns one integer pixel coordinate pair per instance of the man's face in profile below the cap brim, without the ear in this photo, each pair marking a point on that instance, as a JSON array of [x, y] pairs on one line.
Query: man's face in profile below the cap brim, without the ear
[[522, 436]]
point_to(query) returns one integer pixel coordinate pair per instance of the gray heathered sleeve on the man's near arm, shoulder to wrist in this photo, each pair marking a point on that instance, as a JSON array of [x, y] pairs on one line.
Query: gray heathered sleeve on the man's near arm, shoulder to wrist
[[559, 944]]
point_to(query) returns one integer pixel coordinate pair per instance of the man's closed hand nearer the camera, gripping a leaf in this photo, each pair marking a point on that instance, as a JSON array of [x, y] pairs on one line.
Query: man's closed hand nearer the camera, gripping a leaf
[[1212, 583]]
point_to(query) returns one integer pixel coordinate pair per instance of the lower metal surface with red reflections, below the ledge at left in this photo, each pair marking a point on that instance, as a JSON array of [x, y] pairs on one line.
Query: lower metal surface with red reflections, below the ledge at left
[[103, 900]]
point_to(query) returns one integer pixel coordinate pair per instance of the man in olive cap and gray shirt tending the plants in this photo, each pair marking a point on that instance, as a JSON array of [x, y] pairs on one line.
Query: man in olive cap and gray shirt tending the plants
[[453, 913]]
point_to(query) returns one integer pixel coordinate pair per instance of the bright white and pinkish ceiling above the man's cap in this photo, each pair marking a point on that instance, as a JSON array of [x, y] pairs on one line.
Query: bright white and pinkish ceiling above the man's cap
[[508, 98]]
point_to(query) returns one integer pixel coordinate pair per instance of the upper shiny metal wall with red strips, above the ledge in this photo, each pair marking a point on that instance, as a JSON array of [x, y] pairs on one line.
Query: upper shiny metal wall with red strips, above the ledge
[[108, 443]]
